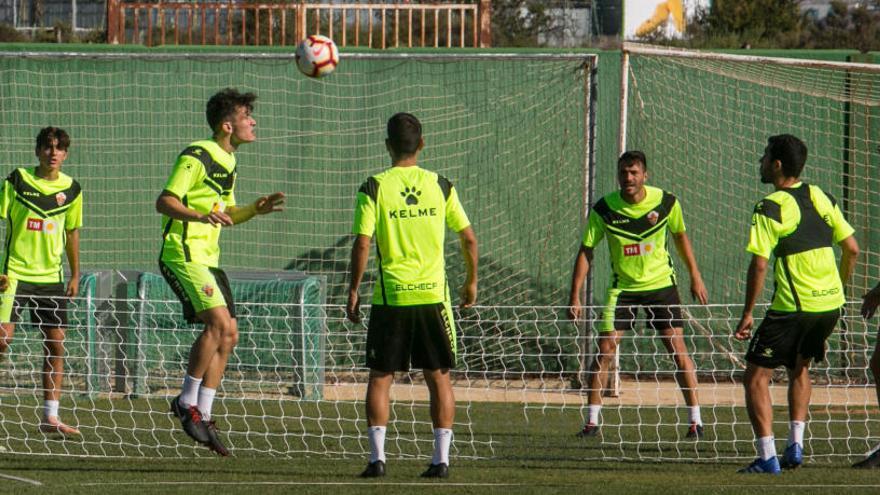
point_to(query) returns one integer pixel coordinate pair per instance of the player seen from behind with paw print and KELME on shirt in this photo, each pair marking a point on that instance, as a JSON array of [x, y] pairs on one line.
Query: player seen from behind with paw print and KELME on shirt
[[408, 209]]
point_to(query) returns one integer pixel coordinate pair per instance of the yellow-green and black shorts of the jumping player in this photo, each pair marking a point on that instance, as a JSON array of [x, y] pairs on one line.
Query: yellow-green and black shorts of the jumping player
[[198, 287]]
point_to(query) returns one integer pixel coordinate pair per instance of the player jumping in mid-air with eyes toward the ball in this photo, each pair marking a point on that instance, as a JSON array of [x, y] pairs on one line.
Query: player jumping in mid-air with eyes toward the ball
[[197, 202]]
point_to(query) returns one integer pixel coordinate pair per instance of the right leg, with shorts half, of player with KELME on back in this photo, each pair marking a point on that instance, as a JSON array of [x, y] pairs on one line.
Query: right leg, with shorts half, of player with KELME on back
[[434, 348]]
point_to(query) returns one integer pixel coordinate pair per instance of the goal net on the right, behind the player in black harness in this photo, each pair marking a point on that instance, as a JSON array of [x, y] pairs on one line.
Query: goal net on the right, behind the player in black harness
[[703, 121]]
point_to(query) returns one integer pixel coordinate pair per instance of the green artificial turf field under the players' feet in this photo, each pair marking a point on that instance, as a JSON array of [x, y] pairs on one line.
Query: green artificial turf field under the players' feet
[[530, 453]]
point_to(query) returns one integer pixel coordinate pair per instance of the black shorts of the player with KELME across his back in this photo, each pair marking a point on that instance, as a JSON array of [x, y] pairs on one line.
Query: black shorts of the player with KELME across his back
[[419, 336]]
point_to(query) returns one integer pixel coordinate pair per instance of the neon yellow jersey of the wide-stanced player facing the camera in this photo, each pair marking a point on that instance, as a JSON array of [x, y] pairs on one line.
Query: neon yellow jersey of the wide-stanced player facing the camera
[[636, 236]]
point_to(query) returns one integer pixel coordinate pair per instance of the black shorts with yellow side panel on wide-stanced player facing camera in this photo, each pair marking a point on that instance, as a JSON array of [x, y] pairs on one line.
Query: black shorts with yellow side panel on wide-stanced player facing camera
[[662, 309]]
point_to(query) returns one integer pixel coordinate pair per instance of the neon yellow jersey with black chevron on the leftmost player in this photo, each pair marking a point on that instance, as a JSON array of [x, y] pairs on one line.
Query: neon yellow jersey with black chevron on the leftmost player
[[38, 213]]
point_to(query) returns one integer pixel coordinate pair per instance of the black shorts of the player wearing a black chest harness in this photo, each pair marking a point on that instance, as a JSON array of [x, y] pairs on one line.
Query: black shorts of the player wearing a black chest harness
[[782, 337]]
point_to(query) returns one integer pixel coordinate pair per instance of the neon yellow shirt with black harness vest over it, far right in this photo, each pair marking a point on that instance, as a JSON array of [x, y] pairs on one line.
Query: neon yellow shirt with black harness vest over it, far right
[[800, 226]]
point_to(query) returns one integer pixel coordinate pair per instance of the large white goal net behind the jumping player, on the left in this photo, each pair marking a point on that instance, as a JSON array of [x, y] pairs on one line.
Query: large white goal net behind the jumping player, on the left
[[511, 131]]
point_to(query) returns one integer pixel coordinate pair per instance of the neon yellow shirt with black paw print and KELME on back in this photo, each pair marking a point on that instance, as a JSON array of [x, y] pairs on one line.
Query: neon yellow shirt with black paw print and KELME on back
[[408, 209]]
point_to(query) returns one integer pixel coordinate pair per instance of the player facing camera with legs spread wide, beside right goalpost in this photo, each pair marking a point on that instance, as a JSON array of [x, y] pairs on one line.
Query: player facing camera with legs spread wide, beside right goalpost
[[635, 221]]
